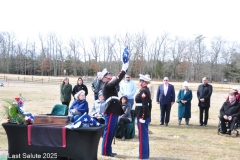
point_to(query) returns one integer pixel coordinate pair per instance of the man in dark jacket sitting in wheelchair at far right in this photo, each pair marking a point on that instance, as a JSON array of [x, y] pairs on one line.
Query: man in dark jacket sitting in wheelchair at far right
[[230, 113]]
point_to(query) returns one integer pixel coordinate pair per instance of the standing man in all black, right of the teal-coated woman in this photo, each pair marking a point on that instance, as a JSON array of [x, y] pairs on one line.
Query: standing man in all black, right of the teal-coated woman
[[204, 93]]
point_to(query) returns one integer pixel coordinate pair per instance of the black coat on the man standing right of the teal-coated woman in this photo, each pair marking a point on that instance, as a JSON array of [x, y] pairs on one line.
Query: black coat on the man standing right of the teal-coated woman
[[204, 92]]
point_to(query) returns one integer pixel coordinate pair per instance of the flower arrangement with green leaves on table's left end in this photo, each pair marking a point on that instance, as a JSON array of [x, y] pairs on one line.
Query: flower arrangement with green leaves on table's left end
[[15, 111]]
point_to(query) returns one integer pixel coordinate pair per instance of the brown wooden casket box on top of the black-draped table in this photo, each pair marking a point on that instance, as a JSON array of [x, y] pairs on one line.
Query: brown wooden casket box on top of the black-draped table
[[49, 119]]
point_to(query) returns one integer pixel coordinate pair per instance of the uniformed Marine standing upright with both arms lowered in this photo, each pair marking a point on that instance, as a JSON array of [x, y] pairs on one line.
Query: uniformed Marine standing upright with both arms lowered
[[142, 100]]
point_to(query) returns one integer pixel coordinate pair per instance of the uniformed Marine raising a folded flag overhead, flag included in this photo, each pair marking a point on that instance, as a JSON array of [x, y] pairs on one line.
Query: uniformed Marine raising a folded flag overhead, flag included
[[113, 109]]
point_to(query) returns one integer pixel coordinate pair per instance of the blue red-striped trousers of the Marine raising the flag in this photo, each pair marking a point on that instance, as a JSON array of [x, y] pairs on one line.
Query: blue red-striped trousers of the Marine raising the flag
[[108, 134]]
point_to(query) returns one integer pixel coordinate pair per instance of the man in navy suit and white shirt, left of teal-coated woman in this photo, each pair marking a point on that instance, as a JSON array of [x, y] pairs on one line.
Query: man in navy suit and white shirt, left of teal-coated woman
[[166, 98]]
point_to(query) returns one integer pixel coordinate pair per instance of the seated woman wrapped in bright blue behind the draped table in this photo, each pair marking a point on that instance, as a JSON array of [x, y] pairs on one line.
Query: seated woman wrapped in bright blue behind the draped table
[[79, 106]]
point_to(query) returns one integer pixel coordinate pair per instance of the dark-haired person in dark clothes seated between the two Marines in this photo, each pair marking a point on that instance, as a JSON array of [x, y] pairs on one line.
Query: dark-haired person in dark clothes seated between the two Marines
[[126, 117]]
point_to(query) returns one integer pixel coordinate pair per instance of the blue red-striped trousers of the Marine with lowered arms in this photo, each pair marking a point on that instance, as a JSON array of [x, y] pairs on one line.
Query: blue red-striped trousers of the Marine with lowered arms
[[143, 138]]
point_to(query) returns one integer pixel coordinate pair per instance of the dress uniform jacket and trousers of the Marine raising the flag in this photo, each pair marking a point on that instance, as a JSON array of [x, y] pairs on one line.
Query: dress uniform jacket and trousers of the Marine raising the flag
[[112, 110]]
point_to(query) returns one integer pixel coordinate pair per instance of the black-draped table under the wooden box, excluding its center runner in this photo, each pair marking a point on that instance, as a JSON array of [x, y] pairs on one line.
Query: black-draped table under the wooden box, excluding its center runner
[[81, 144]]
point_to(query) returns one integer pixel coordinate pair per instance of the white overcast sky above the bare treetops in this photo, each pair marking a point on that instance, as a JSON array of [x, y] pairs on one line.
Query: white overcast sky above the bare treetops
[[67, 18]]
